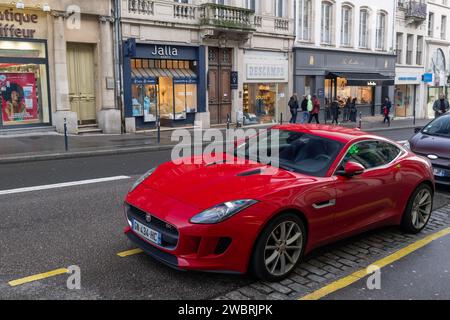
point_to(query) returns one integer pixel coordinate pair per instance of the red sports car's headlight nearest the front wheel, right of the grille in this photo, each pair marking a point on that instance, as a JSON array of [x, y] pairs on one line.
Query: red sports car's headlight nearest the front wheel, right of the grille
[[222, 211]]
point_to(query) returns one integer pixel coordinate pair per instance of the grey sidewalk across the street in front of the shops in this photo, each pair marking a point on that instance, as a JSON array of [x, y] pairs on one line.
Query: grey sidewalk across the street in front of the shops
[[50, 145]]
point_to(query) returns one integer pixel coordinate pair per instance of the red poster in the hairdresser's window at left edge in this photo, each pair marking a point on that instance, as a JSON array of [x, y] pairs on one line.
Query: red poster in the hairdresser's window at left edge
[[19, 97]]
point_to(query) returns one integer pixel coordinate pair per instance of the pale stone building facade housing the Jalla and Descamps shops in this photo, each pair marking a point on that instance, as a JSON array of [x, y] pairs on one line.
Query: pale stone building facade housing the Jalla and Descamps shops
[[208, 61]]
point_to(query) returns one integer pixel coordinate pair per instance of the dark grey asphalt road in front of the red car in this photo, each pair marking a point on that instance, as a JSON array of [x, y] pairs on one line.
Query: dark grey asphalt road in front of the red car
[[82, 225]]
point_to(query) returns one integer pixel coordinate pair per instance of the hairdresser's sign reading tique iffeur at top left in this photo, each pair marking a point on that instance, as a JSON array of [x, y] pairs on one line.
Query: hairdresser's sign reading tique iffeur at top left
[[12, 24]]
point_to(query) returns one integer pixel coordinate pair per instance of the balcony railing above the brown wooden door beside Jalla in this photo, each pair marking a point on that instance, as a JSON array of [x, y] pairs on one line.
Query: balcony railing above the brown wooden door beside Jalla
[[226, 17]]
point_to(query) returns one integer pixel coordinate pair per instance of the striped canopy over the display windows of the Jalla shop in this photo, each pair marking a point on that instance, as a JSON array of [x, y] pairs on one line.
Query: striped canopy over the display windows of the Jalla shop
[[150, 76]]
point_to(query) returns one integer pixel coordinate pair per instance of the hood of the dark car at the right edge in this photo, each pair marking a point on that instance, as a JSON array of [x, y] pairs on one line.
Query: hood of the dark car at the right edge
[[431, 145]]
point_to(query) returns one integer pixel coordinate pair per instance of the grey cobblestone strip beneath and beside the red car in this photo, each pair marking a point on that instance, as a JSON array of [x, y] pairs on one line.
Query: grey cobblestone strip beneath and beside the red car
[[335, 261]]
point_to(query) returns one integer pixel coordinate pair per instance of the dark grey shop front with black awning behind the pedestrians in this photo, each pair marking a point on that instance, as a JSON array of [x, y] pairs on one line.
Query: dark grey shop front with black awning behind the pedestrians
[[332, 74]]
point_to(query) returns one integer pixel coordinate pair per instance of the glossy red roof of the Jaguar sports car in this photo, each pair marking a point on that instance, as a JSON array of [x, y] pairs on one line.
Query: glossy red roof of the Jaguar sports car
[[341, 134]]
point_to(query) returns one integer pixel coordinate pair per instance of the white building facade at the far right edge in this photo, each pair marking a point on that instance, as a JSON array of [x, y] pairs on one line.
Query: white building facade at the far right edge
[[437, 53]]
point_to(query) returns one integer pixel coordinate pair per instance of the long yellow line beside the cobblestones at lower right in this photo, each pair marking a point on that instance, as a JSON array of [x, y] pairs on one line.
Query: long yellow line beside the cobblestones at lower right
[[348, 280]]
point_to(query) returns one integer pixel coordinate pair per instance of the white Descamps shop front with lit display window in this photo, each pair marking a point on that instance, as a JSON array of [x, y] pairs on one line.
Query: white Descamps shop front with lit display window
[[265, 93]]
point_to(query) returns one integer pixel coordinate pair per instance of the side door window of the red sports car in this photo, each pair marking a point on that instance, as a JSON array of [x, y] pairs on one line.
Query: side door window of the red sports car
[[368, 153]]
